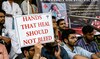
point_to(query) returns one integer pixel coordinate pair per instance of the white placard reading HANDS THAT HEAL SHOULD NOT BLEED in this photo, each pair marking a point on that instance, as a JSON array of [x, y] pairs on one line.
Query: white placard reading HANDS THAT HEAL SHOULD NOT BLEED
[[35, 28]]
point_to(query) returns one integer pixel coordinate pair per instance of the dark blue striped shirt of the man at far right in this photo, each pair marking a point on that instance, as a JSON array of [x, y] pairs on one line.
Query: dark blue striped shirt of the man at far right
[[92, 47]]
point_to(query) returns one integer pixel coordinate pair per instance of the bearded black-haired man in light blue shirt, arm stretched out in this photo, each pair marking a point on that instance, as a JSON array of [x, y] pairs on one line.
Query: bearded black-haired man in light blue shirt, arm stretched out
[[75, 52]]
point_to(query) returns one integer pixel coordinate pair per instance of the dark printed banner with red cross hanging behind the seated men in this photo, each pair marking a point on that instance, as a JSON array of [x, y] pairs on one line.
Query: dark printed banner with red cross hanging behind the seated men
[[77, 13]]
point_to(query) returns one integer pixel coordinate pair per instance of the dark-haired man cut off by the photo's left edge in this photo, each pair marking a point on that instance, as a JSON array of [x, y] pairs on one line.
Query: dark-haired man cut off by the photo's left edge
[[3, 38]]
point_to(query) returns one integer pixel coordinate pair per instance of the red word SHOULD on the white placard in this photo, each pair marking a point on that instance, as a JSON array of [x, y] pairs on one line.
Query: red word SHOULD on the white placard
[[36, 32]]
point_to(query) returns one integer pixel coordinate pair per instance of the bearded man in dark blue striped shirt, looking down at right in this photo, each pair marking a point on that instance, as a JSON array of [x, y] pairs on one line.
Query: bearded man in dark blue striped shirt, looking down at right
[[87, 42]]
